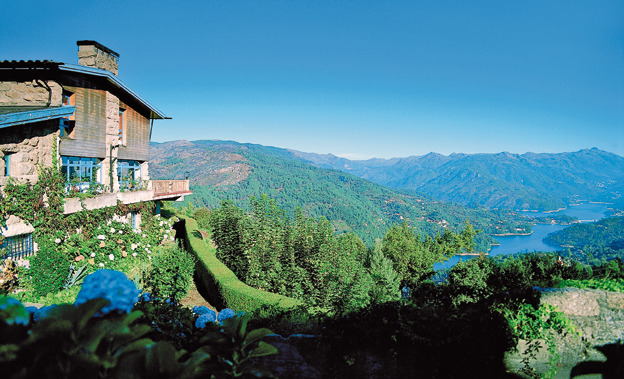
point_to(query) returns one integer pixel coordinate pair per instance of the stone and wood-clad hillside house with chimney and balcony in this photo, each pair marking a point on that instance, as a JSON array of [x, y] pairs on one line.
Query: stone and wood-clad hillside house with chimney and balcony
[[100, 127]]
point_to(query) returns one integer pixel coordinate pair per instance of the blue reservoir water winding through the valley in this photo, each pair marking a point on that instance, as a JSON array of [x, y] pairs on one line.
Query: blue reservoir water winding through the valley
[[534, 242]]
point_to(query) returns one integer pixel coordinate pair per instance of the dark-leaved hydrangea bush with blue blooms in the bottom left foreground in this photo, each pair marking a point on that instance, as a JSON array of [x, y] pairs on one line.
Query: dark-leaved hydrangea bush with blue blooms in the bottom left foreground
[[103, 338]]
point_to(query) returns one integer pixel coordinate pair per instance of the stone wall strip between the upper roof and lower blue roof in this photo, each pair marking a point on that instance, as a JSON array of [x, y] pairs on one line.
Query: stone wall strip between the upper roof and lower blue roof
[[33, 93]]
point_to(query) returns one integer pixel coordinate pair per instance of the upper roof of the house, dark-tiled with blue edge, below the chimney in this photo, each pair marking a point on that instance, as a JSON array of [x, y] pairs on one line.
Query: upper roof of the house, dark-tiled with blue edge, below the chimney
[[47, 66]]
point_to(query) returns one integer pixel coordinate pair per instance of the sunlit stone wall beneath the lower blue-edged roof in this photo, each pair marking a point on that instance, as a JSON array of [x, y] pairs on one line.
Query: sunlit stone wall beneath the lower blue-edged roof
[[30, 147]]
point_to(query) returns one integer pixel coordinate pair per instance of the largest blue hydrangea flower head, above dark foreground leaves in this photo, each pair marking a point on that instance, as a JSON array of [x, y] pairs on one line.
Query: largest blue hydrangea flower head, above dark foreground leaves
[[110, 285]]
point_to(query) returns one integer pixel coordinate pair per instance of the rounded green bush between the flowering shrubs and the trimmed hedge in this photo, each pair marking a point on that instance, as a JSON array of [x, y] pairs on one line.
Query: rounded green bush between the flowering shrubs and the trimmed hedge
[[171, 273]]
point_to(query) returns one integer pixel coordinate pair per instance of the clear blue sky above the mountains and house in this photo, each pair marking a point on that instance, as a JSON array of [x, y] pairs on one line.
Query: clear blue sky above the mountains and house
[[358, 79]]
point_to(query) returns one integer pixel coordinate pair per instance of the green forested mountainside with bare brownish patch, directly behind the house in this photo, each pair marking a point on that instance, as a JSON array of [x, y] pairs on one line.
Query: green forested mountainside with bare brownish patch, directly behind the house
[[229, 170]]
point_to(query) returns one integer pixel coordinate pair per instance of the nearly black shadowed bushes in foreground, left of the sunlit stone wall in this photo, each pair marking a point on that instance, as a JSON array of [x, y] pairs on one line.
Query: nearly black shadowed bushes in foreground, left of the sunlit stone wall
[[429, 339]]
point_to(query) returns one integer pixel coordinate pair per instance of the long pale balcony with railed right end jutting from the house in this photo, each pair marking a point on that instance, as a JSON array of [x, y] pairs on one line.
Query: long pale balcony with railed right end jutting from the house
[[170, 190]]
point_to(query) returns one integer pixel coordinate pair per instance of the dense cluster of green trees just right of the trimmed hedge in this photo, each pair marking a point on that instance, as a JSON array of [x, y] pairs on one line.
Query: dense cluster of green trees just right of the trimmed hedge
[[301, 258]]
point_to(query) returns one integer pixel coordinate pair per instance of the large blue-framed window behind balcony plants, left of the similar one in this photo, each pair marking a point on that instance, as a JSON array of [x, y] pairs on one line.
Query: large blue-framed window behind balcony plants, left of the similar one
[[81, 174]]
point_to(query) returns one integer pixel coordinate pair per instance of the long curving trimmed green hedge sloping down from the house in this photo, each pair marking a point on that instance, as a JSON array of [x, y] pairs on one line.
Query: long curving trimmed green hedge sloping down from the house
[[220, 285]]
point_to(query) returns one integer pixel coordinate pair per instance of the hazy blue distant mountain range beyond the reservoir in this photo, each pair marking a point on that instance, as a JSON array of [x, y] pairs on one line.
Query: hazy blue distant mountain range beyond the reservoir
[[504, 180]]
